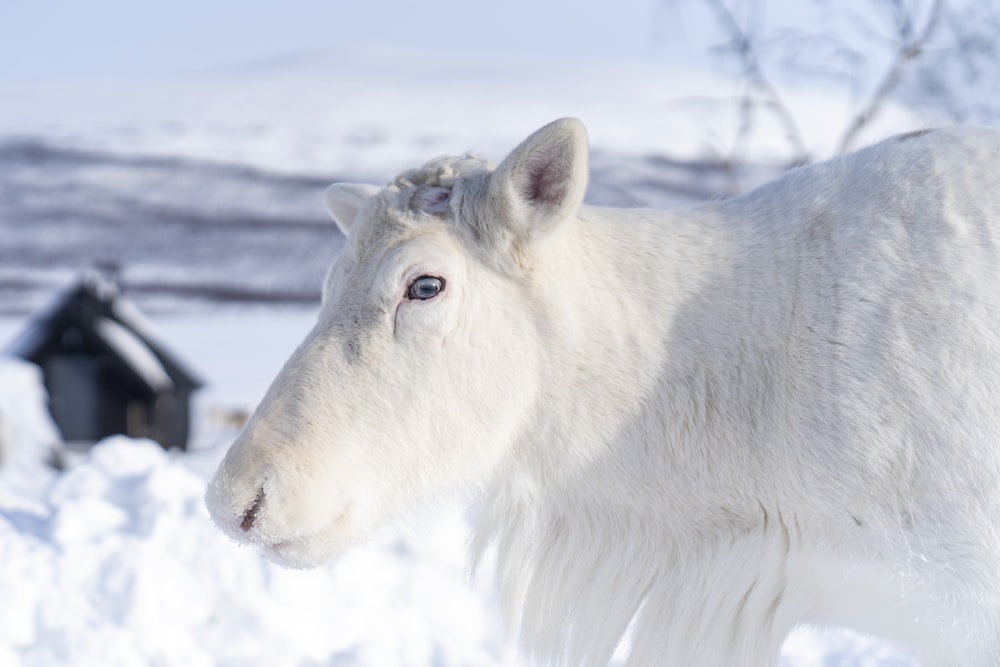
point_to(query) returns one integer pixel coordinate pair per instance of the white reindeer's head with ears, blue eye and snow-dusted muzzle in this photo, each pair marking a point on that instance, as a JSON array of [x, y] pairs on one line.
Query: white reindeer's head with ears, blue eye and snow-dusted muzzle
[[422, 368]]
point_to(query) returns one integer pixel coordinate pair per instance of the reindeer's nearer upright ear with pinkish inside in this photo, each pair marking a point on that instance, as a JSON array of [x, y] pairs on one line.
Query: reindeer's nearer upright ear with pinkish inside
[[542, 181]]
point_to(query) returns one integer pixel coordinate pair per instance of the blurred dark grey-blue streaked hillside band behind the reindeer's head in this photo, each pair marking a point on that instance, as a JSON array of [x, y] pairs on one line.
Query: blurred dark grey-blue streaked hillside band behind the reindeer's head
[[189, 232]]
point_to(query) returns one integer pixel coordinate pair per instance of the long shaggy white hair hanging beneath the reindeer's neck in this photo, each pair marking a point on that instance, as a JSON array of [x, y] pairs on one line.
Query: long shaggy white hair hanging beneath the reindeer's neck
[[582, 588]]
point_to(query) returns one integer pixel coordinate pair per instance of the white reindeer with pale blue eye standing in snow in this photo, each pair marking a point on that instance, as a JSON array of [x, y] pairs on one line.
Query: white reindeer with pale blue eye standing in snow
[[716, 425]]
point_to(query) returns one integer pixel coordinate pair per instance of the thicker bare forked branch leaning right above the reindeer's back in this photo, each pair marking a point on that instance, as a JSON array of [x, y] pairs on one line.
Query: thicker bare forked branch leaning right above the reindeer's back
[[911, 47]]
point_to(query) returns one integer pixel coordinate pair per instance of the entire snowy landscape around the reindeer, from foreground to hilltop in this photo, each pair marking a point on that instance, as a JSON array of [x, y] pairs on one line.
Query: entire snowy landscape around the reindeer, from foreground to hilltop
[[115, 562]]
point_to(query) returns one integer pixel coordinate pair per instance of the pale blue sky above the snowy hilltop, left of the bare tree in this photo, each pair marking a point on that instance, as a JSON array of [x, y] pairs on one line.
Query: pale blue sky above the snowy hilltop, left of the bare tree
[[73, 39]]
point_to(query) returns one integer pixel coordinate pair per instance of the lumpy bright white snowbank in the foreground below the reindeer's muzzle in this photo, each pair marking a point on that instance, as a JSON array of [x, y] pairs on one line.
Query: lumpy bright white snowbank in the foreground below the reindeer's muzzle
[[121, 566]]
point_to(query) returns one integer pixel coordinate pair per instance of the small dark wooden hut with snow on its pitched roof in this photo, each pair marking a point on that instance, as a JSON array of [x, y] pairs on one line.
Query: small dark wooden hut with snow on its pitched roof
[[105, 371]]
